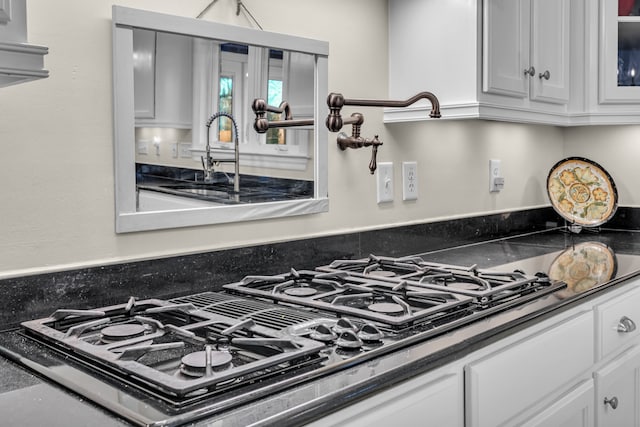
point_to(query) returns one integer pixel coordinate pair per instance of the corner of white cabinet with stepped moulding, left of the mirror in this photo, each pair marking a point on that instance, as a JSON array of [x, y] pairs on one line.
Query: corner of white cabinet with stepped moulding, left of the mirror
[[19, 61]]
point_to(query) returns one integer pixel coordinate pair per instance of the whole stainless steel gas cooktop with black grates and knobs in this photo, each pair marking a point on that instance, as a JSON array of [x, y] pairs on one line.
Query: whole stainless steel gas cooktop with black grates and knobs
[[169, 362]]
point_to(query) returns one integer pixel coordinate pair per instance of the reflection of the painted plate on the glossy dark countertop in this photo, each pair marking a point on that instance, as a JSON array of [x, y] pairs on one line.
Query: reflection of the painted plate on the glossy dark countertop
[[584, 266]]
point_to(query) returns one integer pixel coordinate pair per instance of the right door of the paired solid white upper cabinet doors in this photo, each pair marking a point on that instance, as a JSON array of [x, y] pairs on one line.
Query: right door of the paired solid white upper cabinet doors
[[550, 40]]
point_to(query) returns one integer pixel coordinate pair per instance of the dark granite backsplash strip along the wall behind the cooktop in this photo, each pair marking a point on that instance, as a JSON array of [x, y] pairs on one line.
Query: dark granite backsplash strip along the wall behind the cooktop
[[37, 296]]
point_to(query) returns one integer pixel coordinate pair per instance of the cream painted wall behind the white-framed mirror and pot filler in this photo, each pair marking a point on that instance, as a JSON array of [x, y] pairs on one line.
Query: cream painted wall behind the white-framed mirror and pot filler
[[57, 164]]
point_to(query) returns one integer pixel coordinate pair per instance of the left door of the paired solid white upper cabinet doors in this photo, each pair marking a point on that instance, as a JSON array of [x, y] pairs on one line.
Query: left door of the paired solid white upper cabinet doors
[[505, 42]]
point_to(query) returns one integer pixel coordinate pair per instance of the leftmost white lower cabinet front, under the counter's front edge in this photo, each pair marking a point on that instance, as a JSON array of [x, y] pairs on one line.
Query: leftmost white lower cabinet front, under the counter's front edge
[[430, 399]]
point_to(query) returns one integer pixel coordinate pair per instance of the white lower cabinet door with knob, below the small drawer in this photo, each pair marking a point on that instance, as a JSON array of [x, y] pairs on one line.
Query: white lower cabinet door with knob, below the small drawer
[[618, 391]]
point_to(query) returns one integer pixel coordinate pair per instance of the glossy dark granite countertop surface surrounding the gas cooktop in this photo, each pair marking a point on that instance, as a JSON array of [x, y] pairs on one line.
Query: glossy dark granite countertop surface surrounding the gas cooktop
[[20, 391]]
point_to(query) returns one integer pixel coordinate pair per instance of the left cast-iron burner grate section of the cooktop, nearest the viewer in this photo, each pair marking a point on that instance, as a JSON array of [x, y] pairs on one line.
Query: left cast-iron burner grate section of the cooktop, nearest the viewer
[[148, 341]]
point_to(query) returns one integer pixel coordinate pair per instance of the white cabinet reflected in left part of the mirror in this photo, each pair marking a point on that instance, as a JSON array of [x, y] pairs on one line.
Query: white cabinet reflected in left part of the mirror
[[163, 76]]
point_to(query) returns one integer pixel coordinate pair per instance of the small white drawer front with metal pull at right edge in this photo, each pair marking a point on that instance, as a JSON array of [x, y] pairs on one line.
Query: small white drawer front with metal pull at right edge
[[617, 322]]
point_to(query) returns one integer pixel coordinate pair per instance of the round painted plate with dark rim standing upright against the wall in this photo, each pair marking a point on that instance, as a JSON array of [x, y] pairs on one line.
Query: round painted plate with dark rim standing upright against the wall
[[582, 192]]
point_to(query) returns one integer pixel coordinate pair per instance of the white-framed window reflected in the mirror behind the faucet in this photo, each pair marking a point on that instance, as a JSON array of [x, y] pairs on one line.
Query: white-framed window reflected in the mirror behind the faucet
[[246, 73]]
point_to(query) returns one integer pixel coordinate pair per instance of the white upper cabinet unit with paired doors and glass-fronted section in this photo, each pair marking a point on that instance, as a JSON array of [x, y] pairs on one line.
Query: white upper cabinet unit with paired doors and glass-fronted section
[[559, 62]]
